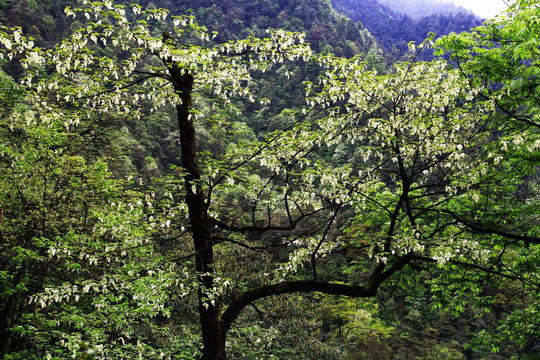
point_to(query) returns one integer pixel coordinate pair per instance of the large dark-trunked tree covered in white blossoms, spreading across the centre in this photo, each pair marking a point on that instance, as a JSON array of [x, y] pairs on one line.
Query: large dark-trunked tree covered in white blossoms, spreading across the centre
[[429, 163]]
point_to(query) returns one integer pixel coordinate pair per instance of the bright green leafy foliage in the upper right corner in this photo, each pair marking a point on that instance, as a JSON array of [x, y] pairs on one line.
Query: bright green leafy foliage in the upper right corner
[[502, 56]]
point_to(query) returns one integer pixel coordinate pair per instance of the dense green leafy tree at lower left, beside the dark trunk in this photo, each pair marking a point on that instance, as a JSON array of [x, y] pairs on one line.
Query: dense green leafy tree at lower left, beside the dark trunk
[[71, 236]]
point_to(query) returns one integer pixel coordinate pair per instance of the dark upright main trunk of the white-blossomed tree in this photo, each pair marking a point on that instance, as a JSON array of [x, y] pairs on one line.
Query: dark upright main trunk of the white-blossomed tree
[[213, 338]]
